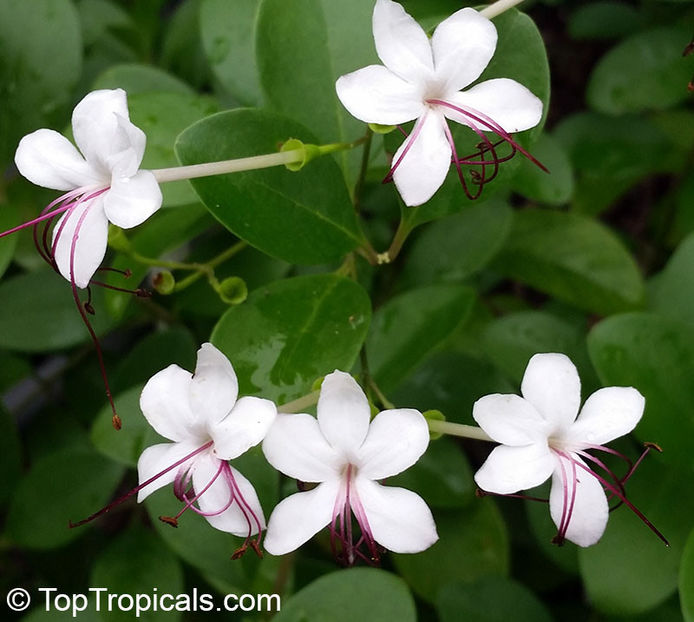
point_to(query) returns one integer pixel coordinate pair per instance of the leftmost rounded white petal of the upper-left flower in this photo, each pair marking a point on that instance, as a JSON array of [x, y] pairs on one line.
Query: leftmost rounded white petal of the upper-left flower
[[48, 159]]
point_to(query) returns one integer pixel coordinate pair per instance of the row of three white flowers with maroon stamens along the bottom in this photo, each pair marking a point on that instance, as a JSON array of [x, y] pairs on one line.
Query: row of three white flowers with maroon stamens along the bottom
[[346, 454]]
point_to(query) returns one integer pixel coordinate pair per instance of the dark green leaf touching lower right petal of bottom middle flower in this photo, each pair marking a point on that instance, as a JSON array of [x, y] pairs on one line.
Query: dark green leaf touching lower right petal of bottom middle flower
[[473, 543]]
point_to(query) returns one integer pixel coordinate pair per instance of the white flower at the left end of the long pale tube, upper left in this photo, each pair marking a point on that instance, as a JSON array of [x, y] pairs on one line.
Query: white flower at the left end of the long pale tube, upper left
[[103, 182]]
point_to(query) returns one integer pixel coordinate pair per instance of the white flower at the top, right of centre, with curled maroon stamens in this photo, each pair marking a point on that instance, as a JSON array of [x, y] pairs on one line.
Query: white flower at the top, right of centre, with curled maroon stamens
[[422, 79]]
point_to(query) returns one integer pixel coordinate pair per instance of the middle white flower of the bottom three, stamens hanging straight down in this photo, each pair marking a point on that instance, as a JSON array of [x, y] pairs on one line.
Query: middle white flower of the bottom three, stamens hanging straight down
[[345, 455]]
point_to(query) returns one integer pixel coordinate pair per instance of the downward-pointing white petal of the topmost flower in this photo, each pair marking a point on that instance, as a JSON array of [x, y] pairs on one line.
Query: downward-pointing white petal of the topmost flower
[[424, 167]]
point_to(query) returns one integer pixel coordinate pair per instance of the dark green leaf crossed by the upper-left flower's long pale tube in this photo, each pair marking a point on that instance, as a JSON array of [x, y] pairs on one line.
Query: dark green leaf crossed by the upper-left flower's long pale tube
[[303, 217]]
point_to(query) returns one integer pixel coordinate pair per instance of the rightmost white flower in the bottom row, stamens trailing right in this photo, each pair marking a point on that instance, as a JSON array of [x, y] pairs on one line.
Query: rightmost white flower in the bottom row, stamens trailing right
[[543, 435]]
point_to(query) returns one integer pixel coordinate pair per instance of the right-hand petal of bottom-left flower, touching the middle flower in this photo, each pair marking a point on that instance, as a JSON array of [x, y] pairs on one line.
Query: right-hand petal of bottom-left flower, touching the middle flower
[[244, 427]]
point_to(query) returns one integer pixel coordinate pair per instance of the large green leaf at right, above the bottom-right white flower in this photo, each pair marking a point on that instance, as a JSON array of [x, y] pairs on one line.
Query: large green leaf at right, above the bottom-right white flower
[[574, 258]]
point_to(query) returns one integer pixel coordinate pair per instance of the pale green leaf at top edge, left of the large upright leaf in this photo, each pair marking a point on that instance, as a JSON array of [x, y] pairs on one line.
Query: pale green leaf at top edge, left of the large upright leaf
[[228, 36]]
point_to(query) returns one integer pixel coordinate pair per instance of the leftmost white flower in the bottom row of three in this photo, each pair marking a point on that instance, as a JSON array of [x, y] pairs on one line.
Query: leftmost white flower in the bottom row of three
[[208, 427]]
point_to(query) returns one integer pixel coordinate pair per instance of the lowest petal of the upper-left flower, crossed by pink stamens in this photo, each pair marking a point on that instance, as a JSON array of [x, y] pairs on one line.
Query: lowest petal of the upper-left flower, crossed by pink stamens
[[79, 240]]
